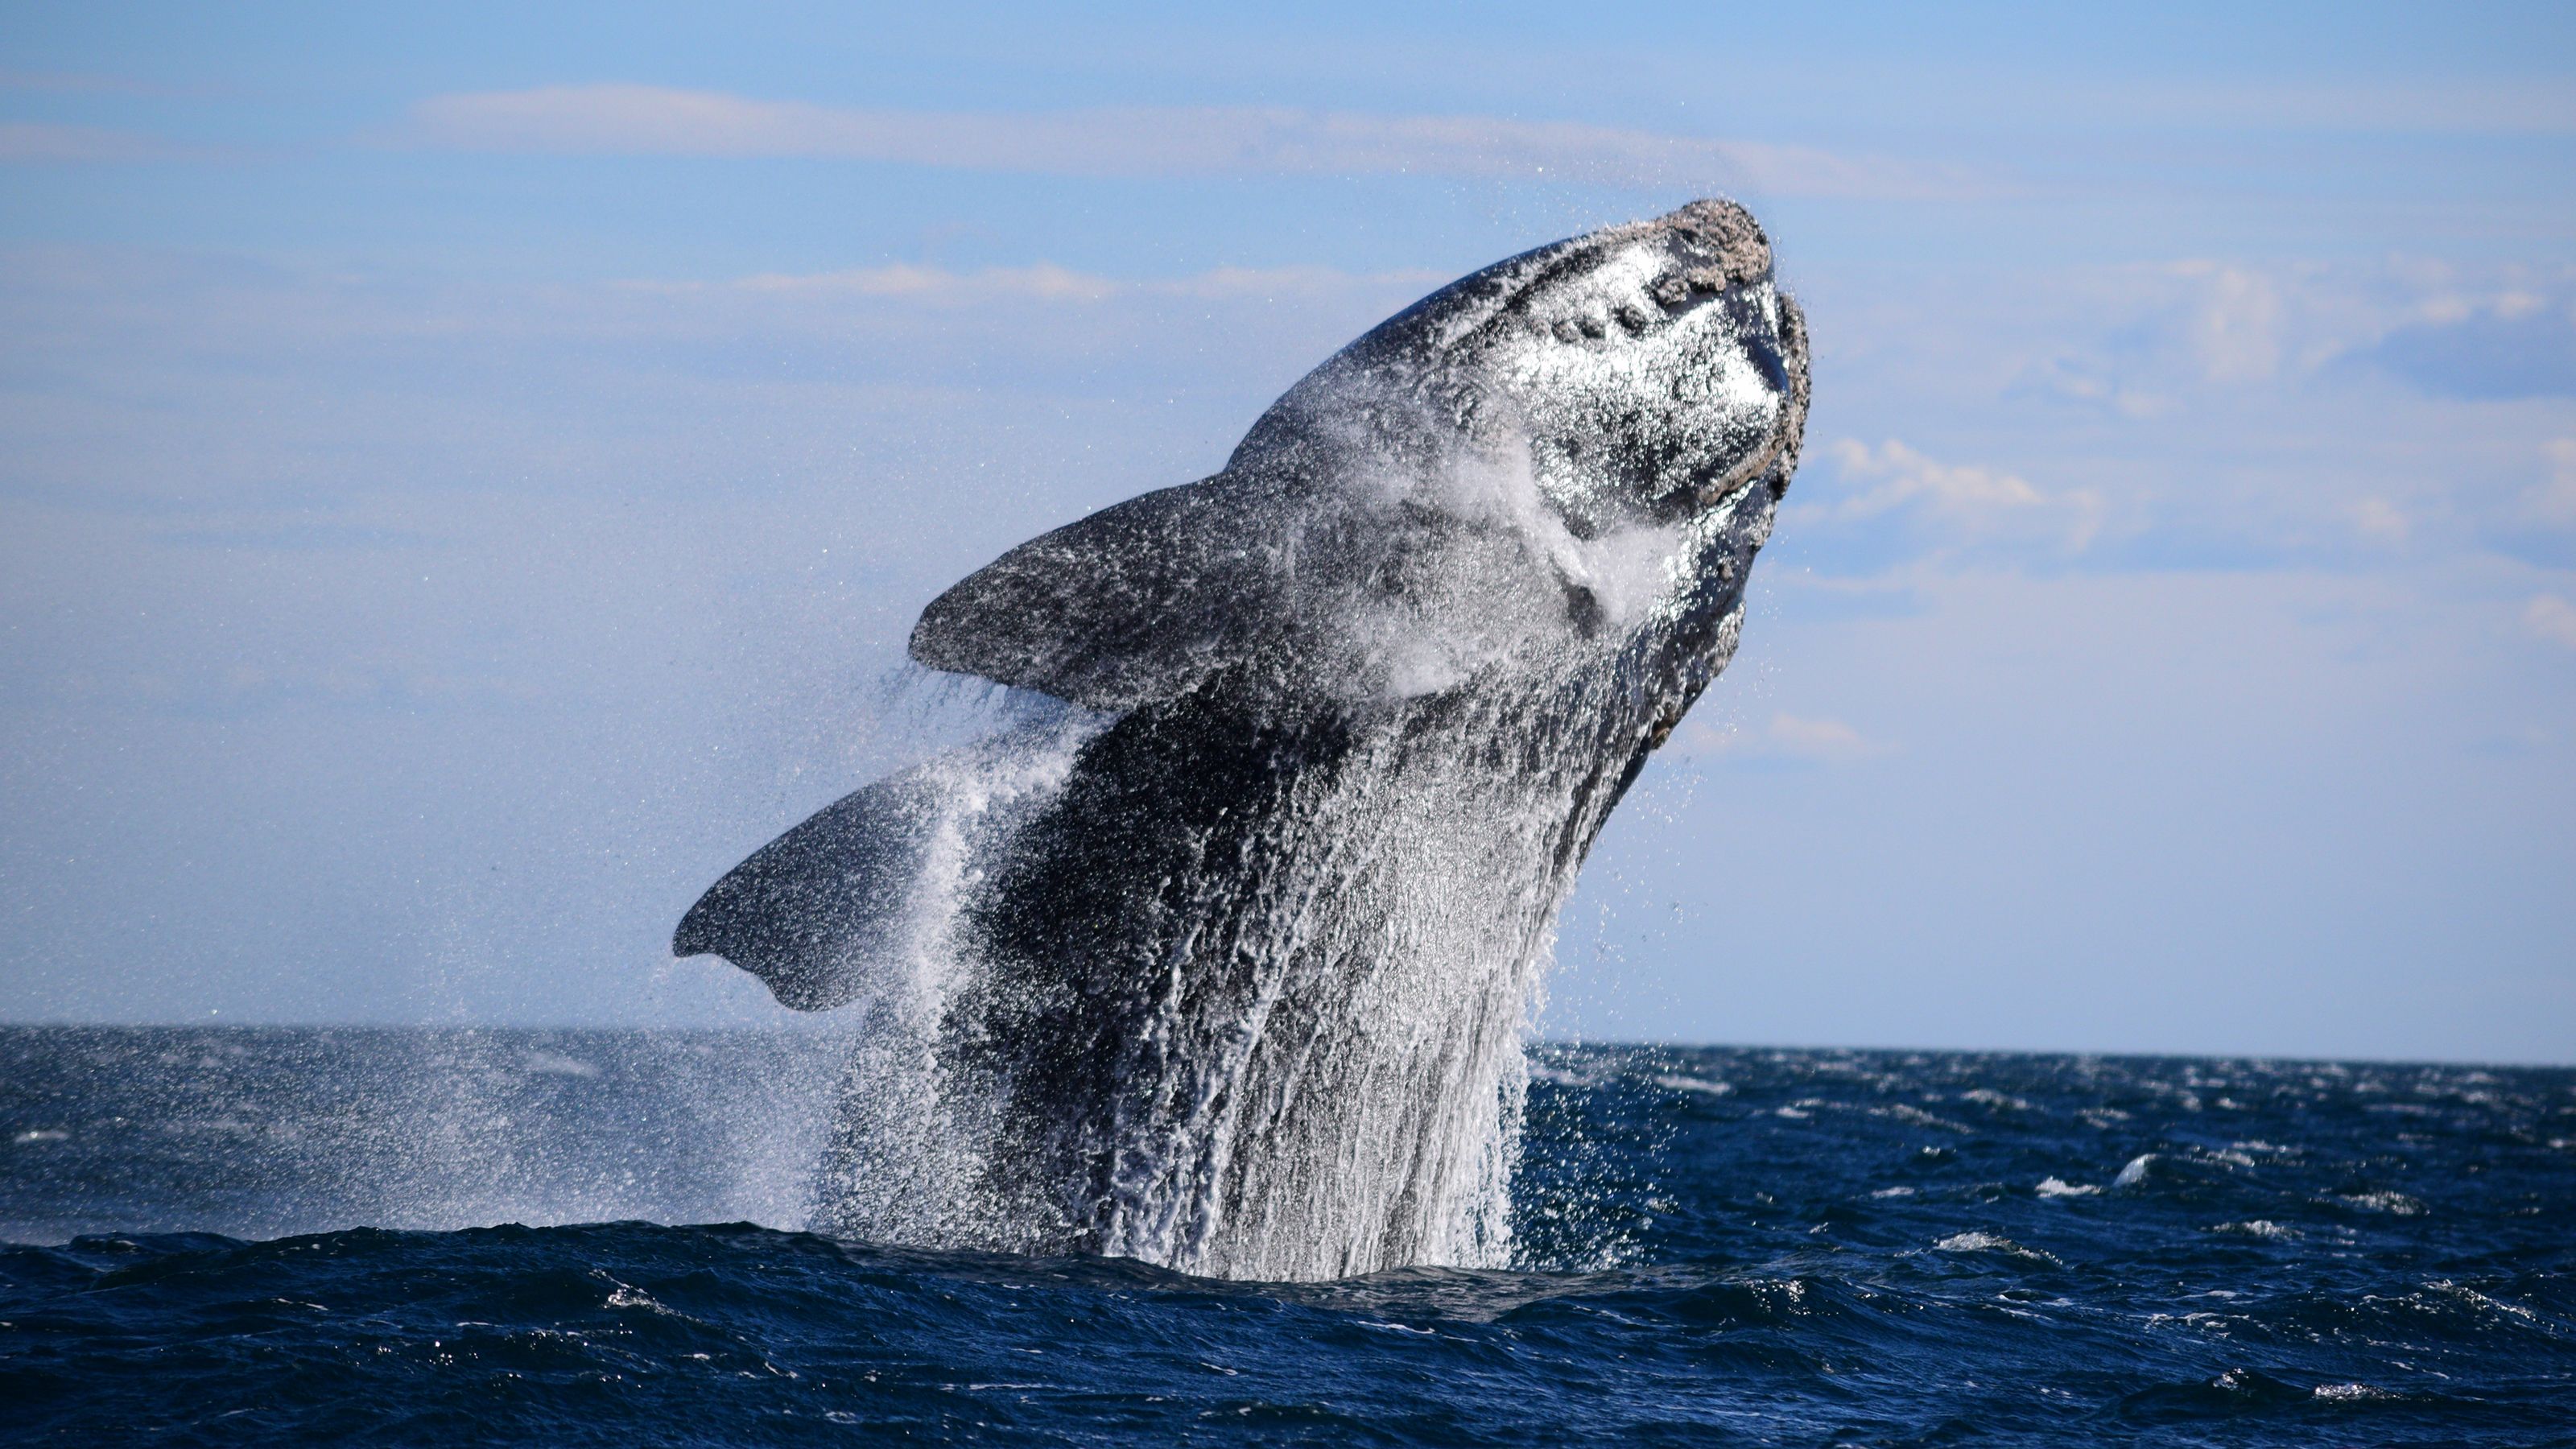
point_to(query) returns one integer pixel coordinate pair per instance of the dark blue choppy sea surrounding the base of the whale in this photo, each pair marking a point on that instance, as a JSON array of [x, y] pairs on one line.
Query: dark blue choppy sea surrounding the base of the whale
[[259, 1236]]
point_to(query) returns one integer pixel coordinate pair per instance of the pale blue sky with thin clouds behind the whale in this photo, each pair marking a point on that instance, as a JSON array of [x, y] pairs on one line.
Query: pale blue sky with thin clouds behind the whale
[[468, 478]]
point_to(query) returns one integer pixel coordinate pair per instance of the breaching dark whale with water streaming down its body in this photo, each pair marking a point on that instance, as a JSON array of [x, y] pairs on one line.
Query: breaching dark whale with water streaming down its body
[[1227, 963]]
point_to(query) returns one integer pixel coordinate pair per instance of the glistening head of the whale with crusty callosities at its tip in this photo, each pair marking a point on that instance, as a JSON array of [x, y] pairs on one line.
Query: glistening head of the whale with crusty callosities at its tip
[[1645, 373]]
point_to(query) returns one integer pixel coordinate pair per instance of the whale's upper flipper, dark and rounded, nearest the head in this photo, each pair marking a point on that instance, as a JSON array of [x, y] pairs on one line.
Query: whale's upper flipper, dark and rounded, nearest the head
[[1132, 605]]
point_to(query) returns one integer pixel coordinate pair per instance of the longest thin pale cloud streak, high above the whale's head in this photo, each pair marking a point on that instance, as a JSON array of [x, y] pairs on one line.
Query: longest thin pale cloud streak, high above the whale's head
[[1142, 141]]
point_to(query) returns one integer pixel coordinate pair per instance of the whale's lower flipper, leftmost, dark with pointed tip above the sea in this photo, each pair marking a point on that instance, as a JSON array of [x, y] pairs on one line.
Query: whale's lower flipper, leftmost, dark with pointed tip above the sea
[[815, 906]]
